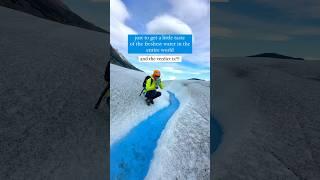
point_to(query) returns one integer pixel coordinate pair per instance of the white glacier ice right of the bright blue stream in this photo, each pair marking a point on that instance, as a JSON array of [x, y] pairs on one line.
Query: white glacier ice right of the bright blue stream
[[183, 150]]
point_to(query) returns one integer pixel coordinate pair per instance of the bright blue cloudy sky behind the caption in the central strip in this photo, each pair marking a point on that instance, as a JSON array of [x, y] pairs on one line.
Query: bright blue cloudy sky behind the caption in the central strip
[[171, 17]]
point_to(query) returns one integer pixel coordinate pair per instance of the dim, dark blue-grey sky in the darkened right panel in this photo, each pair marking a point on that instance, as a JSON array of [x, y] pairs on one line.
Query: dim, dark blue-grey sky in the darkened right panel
[[247, 27]]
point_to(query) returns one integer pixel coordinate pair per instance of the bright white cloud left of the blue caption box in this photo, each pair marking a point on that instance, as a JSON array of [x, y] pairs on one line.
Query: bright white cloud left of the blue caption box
[[118, 29]]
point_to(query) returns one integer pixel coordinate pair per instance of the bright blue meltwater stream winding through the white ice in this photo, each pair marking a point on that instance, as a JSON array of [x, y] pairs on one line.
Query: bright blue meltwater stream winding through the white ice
[[130, 157]]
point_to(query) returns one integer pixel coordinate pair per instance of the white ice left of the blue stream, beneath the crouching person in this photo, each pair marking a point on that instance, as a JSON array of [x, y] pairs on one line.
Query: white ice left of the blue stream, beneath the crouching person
[[127, 108]]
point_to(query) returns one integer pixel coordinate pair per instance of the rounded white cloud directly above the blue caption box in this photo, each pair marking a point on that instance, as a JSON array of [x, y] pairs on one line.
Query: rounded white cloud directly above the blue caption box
[[167, 24]]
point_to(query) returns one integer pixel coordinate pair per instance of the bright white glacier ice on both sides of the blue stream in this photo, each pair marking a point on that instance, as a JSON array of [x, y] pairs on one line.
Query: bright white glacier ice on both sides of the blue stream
[[183, 150]]
